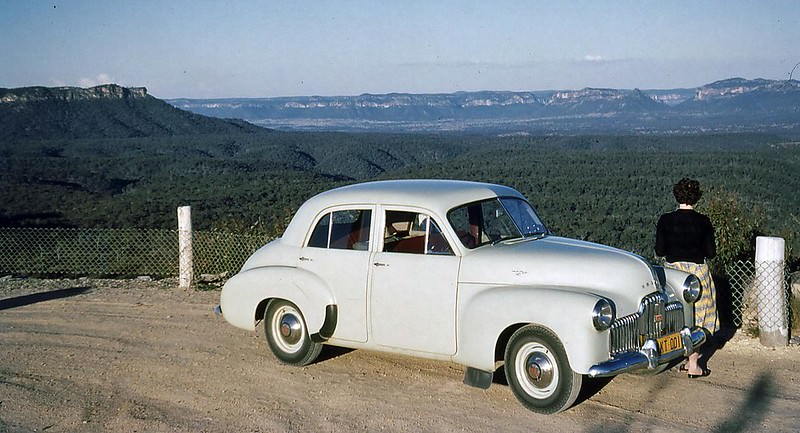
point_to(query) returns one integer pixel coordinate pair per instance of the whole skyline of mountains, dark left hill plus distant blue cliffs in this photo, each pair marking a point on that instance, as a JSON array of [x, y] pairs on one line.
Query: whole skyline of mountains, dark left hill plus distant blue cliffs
[[110, 111]]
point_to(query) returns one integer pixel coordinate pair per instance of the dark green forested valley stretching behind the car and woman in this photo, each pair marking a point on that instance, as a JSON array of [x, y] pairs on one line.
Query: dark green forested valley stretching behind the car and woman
[[607, 189]]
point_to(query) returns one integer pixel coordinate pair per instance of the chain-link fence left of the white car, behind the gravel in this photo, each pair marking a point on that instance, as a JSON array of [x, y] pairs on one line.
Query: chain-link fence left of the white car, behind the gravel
[[118, 252]]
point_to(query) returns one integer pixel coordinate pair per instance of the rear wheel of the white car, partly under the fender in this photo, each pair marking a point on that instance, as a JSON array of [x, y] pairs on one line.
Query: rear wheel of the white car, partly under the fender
[[287, 335]]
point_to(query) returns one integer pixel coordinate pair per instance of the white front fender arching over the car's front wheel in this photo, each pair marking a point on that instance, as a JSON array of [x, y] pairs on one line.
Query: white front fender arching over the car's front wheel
[[486, 312]]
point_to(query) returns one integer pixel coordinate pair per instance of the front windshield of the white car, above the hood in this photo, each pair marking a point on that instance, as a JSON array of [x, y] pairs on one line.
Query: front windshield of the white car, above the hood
[[495, 220]]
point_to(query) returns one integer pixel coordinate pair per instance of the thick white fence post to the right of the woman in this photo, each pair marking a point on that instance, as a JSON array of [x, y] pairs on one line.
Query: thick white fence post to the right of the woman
[[772, 320]]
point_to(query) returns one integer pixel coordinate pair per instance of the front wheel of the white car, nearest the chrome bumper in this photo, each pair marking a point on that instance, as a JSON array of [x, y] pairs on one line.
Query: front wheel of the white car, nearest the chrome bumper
[[538, 371]]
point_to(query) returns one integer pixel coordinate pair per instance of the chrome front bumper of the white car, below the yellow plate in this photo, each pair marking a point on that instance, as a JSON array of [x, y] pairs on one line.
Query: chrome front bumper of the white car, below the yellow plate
[[648, 356]]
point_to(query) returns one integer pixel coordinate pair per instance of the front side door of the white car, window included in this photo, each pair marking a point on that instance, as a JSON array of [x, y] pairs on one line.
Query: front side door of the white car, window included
[[413, 287]]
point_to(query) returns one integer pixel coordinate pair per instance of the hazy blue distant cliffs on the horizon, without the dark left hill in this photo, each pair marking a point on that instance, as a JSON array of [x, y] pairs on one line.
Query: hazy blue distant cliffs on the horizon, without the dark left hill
[[731, 105]]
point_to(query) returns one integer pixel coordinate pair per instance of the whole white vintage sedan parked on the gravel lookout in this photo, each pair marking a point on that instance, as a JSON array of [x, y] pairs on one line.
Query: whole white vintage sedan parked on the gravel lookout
[[464, 272]]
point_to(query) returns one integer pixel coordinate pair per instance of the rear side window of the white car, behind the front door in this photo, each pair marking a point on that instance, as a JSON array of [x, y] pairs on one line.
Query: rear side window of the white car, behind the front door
[[344, 230]]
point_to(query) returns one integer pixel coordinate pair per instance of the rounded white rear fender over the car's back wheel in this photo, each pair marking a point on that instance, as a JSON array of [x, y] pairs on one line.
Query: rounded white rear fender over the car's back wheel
[[242, 294]]
